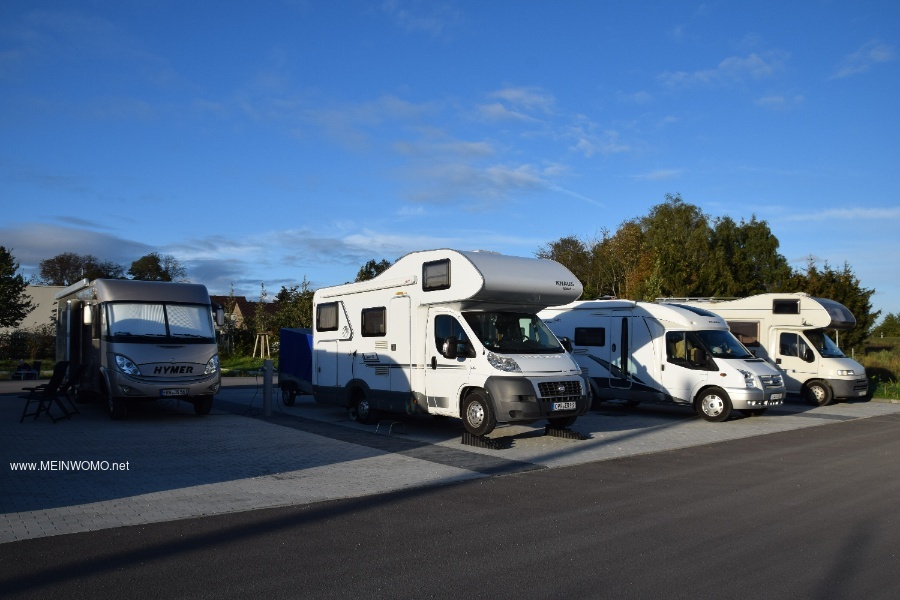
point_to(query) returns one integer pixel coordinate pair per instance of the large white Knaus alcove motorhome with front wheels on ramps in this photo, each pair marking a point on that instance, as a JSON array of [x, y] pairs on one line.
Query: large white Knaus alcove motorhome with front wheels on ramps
[[450, 333]]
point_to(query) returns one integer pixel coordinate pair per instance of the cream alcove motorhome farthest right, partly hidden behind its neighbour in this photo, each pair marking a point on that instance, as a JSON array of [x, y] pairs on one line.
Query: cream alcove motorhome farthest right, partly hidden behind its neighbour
[[788, 330]]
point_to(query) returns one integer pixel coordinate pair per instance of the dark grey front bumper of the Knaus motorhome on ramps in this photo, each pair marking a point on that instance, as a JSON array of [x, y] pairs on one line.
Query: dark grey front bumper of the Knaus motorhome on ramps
[[519, 399]]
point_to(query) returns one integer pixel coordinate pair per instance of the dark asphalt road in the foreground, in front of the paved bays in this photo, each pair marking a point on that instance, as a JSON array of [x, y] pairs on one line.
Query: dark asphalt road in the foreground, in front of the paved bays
[[809, 513]]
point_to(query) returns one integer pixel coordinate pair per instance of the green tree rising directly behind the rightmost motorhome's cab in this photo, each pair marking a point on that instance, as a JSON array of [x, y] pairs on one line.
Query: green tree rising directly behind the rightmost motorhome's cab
[[840, 285]]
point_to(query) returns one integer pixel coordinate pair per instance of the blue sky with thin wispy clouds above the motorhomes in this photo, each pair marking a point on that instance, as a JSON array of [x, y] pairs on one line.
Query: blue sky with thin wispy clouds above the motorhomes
[[261, 143]]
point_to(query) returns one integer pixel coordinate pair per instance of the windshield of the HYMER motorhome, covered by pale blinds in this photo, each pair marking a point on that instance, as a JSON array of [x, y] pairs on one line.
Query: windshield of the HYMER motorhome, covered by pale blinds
[[159, 320]]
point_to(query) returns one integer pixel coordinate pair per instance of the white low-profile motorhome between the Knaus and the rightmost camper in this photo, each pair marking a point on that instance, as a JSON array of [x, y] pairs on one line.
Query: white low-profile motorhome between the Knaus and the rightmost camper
[[645, 352]]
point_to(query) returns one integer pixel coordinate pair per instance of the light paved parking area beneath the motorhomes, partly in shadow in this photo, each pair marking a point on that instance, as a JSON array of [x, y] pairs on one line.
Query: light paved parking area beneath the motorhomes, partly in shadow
[[164, 463]]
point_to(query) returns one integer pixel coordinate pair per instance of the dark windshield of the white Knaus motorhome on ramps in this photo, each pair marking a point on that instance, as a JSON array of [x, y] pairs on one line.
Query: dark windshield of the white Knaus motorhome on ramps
[[512, 333]]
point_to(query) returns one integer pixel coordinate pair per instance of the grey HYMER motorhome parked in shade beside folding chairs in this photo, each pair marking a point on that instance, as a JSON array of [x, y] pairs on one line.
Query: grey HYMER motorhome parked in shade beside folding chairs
[[129, 340]]
